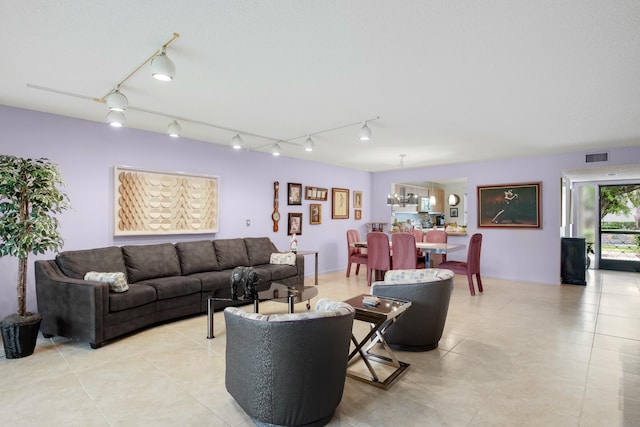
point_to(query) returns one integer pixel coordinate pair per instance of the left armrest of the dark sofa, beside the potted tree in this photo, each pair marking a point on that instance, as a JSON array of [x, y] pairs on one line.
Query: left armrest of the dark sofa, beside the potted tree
[[72, 308]]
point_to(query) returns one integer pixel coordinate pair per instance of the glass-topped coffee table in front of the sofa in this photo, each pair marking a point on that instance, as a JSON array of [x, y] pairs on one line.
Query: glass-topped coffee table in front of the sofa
[[278, 292]]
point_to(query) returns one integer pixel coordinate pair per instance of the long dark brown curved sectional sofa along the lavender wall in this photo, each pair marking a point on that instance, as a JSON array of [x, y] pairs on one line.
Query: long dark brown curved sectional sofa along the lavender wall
[[166, 281]]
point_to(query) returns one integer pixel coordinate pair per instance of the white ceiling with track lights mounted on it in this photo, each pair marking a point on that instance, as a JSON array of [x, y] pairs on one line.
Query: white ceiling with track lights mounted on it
[[452, 81]]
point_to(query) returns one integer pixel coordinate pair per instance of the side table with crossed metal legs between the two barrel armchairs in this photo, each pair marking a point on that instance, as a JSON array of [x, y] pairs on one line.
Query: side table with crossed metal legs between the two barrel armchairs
[[380, 318]]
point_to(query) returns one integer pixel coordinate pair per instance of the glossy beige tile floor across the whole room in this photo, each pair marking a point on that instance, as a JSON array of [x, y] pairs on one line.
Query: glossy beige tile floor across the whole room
[[521, 354]]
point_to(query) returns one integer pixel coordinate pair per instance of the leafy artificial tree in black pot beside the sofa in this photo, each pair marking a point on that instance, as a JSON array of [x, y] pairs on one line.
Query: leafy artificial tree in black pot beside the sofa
[[29, 200]]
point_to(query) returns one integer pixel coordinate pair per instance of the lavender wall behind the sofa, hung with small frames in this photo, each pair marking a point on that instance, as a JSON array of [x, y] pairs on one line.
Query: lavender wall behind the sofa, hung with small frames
[[88, 151]]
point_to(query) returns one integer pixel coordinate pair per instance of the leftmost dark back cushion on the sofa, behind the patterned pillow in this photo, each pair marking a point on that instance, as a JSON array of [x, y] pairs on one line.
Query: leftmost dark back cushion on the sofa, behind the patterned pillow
[[76, 264]]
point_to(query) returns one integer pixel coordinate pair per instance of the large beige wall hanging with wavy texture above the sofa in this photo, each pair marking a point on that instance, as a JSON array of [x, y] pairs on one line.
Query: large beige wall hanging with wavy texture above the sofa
[[149, 202]]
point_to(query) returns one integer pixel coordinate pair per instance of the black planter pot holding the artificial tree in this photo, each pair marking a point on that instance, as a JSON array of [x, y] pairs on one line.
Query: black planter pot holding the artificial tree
[[19, 334]]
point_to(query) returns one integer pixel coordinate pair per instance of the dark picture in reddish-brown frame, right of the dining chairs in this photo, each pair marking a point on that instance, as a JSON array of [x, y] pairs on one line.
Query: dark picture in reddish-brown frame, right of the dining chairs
[[509, 206]]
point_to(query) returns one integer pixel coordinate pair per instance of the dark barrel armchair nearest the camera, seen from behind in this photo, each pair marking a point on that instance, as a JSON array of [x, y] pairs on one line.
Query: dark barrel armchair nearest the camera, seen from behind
[[288, 369]]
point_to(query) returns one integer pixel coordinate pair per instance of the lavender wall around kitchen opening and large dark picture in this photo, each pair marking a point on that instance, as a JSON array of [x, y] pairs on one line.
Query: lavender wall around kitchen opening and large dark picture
[[532, 255]]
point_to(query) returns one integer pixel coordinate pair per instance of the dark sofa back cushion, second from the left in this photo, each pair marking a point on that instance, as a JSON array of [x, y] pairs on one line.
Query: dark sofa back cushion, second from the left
[[150, 261]]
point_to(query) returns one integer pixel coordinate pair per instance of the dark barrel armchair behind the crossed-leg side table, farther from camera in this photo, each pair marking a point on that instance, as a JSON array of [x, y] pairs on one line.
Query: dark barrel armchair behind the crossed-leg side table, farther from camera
[[429, 291]]
